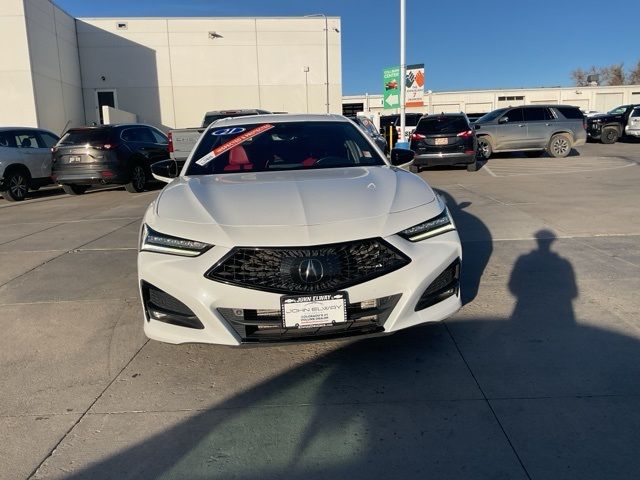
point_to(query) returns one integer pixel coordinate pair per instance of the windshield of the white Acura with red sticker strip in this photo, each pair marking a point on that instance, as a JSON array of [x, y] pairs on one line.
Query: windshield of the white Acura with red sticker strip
[[282, 146]]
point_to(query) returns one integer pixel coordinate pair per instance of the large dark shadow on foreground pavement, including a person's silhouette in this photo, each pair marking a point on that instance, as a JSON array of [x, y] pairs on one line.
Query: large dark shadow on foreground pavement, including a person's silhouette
[[410, 405]]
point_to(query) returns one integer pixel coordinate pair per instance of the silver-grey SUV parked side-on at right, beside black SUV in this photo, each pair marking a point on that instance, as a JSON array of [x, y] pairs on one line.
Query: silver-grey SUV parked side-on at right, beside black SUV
[[532, 129]]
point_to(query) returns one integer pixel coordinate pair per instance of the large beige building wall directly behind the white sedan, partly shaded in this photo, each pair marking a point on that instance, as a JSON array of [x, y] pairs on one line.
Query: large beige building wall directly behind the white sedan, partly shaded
[[170, 71]]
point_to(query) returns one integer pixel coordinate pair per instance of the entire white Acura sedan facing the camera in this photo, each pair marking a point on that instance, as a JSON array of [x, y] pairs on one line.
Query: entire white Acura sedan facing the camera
[[293, 227]]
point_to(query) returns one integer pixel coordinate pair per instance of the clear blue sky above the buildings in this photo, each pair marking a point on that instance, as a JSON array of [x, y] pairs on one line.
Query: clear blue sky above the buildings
[[464, 44]]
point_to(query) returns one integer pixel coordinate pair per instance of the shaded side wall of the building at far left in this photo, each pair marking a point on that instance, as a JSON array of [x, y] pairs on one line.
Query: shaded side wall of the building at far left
[[55, 67]]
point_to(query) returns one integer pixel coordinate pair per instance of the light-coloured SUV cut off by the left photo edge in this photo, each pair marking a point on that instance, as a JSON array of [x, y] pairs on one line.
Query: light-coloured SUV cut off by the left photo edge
[[25, 160]]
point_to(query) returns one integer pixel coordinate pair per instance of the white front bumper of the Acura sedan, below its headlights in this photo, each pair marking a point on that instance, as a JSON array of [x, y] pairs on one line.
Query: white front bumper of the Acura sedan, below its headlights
[[214, 304]]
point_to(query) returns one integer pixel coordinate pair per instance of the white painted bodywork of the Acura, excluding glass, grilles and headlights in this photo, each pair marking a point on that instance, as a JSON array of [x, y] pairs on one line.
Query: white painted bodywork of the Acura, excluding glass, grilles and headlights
[[295, 208]]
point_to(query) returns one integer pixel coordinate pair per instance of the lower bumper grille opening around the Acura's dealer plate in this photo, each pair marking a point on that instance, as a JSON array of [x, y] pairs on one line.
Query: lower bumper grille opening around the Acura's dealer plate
[[266, 325]]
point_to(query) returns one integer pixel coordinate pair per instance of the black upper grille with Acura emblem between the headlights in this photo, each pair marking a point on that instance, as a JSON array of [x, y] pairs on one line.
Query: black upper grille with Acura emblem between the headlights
[[300, 270]]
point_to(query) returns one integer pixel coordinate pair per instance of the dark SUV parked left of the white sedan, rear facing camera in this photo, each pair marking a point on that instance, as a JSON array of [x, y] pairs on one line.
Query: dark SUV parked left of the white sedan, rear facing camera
[[108, 154]]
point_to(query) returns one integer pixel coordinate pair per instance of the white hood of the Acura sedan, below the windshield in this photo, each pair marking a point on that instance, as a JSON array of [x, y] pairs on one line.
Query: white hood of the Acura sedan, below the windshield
[[350, 202]]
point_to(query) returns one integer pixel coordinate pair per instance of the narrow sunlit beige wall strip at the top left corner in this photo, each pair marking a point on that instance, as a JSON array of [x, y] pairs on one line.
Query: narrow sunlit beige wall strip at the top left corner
[[16, 82]]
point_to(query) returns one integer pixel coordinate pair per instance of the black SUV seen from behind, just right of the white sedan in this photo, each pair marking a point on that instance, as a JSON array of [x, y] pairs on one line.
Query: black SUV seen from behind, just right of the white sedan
[[445, 139]]
